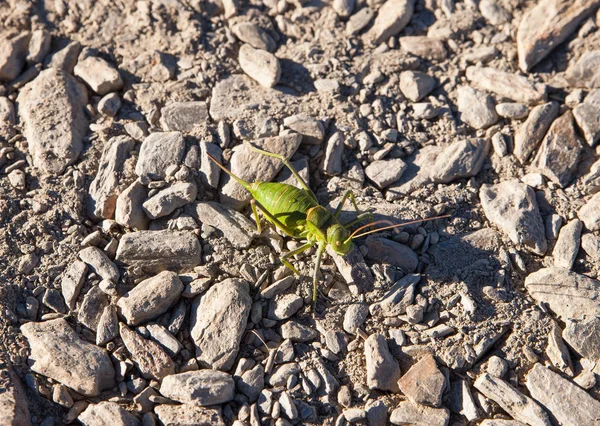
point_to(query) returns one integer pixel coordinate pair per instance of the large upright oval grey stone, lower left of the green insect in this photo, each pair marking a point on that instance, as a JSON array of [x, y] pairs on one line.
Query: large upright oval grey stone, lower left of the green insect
[[218, 321]]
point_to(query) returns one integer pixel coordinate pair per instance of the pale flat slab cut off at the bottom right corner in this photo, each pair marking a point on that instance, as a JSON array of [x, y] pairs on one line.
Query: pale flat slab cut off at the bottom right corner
[[568, 403]]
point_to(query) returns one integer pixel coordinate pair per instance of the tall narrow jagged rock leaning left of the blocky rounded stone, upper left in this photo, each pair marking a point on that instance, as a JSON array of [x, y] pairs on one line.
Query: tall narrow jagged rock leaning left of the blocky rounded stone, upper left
[[111, 178]]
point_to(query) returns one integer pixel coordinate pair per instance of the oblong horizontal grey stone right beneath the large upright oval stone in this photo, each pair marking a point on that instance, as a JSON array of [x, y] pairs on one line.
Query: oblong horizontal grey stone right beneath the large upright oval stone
[[201, 387]]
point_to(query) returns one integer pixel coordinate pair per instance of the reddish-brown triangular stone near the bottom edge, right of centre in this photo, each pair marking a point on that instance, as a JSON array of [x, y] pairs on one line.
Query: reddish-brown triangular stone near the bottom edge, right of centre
[[424, 383]]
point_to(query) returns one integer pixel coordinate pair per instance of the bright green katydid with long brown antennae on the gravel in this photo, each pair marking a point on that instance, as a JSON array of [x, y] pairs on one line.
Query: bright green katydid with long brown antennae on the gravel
[[296, 212]]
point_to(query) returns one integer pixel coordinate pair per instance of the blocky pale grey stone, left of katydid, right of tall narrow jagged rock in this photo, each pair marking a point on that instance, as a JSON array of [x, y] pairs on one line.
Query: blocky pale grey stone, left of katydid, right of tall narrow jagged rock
[[158, 152]]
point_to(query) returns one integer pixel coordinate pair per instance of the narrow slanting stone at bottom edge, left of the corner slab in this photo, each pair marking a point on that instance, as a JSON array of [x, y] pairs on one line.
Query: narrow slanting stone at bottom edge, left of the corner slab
[[519, 406]]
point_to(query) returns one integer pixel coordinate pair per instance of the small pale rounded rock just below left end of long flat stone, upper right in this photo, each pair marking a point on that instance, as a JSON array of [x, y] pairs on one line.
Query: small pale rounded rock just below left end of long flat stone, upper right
[[476, 108]]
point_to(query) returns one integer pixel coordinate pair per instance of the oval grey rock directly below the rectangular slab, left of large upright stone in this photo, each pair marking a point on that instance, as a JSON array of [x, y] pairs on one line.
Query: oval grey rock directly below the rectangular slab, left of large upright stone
[[150, 298]]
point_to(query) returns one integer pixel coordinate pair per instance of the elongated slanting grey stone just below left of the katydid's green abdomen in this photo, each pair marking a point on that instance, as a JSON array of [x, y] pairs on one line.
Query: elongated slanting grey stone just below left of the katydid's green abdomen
[[236, 227]]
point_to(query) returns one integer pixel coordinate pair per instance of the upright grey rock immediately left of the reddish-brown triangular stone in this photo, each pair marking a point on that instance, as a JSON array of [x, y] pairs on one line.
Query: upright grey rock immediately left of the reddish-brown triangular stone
[[383, 371]]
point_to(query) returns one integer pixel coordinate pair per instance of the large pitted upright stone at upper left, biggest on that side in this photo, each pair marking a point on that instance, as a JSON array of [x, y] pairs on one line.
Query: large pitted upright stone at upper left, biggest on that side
[[52, 109]]
